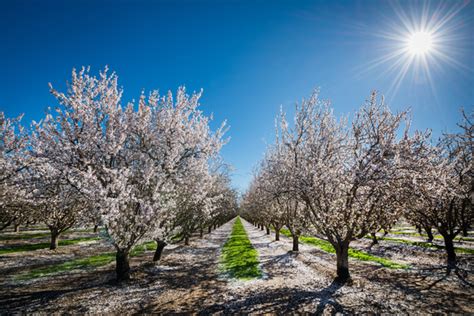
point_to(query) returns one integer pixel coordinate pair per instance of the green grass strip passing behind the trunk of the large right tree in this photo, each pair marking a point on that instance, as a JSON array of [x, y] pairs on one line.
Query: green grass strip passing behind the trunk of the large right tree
[[353, 253]]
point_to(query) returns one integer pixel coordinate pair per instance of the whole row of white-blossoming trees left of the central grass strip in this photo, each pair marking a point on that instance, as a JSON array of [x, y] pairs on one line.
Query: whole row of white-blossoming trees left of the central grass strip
[[146, 171]]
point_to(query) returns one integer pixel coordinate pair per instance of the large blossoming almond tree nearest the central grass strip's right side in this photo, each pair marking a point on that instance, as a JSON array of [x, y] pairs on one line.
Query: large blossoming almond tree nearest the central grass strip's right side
[[346, 175]]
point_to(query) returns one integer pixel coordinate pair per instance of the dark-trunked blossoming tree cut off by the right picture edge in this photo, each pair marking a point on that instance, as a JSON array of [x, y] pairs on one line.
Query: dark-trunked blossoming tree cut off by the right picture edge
[[442, 186]]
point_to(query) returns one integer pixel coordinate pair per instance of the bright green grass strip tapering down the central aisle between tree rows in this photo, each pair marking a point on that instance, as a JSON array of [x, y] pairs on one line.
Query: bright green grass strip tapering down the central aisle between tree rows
[[239, 258]]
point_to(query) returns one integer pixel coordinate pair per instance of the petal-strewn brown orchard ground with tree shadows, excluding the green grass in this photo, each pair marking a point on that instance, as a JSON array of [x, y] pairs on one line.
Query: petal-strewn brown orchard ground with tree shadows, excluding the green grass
[[188, 279]]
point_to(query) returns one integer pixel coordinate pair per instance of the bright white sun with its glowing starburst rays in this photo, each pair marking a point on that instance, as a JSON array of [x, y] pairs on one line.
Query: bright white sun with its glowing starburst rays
[[418, 43]]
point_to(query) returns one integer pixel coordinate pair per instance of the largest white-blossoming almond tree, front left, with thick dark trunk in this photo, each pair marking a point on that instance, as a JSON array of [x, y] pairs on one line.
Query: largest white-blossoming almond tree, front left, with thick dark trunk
[[127, 160]]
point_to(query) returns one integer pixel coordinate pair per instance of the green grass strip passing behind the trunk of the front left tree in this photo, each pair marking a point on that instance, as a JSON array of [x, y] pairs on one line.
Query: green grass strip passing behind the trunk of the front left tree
[[84, 263]]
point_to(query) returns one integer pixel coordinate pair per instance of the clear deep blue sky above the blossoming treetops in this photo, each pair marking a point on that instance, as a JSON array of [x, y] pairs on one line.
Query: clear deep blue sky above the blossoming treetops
[[250, 57]]
